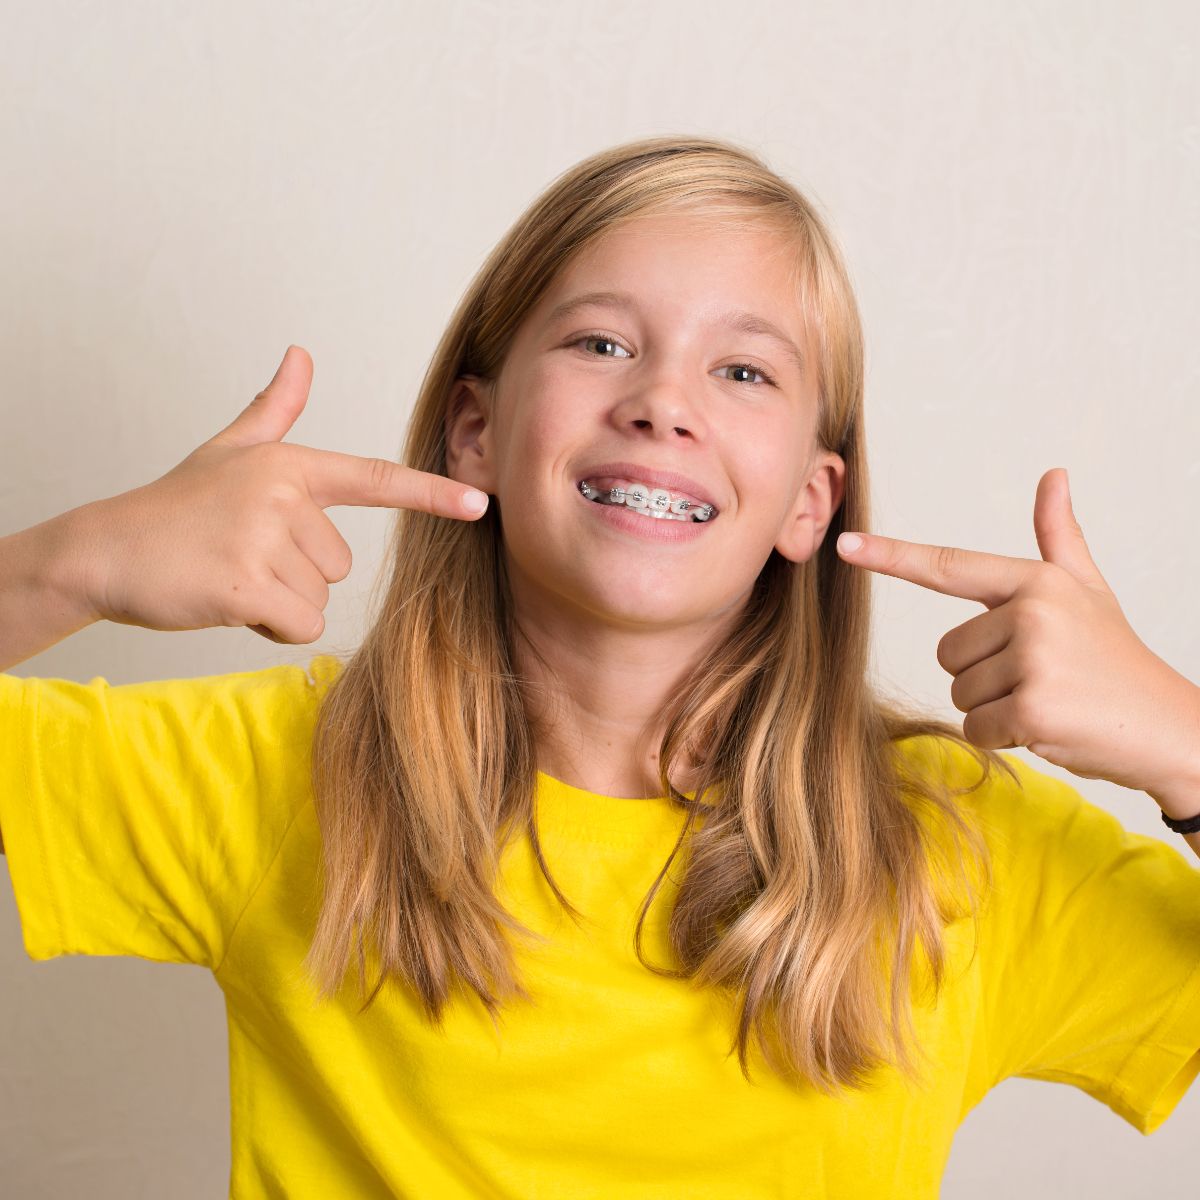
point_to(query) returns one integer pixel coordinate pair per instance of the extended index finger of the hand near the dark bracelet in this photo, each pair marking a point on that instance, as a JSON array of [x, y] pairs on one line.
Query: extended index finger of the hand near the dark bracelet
[[974, 575]]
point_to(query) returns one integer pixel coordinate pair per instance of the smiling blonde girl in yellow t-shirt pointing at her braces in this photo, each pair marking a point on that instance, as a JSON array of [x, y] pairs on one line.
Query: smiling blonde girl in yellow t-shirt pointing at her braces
[[599, 869]]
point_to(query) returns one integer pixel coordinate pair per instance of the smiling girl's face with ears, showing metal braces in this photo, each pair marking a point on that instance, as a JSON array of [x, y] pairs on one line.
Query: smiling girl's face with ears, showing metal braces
[[669, 377]]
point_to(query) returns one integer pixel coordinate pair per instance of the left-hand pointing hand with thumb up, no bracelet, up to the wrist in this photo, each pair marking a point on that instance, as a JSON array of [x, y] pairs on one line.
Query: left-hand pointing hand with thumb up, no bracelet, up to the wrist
[[237, 533]]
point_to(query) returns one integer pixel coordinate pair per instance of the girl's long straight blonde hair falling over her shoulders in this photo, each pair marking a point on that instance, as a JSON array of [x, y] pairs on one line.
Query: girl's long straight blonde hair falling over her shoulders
[[808, 855]]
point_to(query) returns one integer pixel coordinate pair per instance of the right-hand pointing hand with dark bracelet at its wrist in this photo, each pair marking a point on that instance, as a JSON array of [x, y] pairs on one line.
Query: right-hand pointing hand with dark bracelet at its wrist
[[1053, 665]]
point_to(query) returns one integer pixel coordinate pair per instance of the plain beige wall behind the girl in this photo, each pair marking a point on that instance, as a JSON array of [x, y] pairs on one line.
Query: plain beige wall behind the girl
[[188, 189]]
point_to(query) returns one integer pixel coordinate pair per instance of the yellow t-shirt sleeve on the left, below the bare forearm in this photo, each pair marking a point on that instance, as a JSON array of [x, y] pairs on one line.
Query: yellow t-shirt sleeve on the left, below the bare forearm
[[140, 819]]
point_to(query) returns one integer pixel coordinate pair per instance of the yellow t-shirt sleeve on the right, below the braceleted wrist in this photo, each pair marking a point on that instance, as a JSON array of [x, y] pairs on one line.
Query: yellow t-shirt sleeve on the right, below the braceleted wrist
[[1091, 964]]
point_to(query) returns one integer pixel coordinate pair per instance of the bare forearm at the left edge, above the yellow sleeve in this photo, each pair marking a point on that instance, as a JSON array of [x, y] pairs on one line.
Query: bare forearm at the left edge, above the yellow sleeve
[[43, 597]]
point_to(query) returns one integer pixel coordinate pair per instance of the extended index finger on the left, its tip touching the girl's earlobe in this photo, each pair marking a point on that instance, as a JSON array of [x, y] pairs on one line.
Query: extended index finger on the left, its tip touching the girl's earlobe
[[335, 478]]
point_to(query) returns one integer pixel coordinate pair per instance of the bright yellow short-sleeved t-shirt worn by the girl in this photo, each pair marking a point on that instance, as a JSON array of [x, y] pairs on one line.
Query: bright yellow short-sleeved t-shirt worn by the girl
[[173, 821]]
